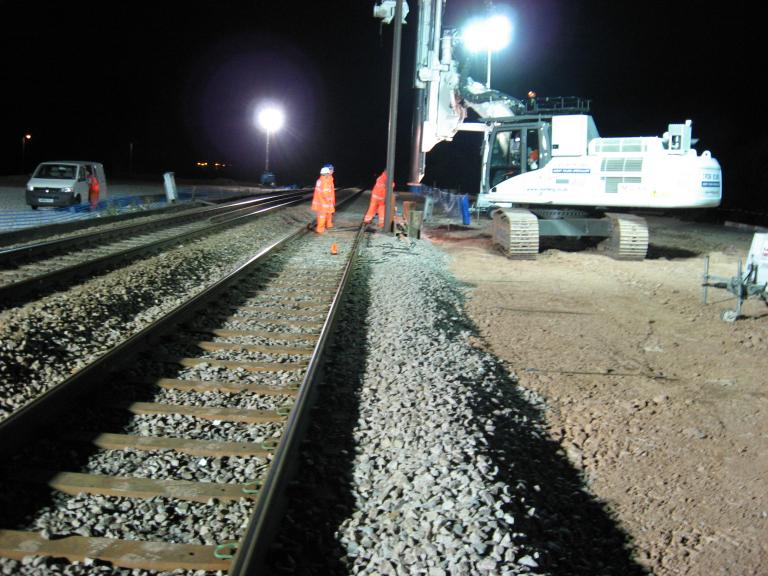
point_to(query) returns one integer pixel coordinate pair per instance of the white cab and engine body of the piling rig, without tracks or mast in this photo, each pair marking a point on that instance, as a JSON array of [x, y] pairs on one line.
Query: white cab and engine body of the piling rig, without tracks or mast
[[579, 168]]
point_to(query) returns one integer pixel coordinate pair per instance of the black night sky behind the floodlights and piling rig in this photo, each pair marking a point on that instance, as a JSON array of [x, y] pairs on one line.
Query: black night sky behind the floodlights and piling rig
[[180, 81]]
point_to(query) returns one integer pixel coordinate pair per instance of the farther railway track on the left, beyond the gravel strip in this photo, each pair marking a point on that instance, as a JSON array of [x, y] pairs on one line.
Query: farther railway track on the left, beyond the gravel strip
[[31, 269]]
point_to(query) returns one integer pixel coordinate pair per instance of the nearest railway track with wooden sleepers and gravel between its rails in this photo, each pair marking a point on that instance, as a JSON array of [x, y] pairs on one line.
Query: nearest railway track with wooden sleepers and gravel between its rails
[[171, 451]]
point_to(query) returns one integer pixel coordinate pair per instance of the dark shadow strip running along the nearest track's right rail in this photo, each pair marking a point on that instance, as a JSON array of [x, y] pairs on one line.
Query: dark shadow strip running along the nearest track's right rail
[[306, 542]]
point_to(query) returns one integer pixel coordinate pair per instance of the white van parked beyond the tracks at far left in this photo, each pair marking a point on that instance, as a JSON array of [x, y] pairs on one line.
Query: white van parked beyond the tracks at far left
[[64, 183]]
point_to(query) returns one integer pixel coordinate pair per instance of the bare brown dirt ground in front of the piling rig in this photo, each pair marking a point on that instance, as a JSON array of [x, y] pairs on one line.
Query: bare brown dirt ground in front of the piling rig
[[659, 402]]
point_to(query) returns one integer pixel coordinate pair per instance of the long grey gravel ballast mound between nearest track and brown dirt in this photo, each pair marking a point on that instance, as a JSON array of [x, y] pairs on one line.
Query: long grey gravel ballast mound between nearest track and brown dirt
[[425, 457]]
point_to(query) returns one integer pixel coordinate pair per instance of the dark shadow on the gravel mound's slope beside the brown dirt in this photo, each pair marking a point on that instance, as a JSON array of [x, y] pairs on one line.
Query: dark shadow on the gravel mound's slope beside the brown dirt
[[574, 533]]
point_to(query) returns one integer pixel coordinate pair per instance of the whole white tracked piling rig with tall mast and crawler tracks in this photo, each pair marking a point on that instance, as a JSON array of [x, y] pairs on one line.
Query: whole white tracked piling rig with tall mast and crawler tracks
[[544, 164]]
